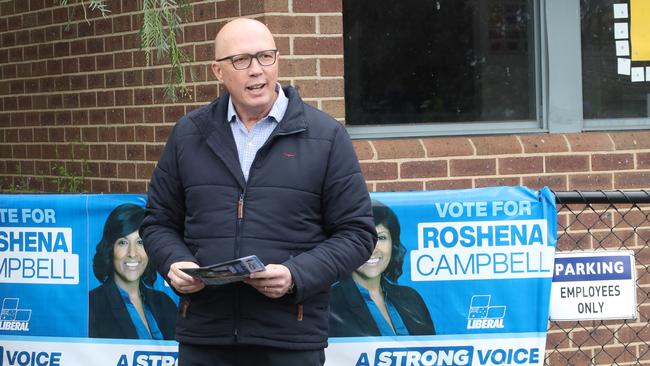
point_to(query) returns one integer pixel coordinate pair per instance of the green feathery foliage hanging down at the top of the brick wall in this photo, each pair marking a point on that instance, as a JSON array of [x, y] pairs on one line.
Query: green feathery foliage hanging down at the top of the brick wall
[[162, 24]]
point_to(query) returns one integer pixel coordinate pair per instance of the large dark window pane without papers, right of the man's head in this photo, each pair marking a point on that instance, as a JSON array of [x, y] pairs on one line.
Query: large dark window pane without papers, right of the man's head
[[423, 61]]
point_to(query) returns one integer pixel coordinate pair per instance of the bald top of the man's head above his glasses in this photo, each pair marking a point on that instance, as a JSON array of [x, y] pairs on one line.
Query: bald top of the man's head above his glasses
[[237, 37]]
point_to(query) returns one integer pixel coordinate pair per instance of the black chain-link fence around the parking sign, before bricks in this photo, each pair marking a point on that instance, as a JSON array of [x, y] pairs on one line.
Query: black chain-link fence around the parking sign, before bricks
[[604, 220]]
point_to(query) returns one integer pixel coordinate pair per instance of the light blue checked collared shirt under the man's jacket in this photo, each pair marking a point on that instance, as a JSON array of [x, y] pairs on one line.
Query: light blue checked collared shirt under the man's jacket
[[248, 142]]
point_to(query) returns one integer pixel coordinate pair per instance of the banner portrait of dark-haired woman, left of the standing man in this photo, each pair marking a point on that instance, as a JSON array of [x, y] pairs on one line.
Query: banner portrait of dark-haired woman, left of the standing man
[[125, 305]]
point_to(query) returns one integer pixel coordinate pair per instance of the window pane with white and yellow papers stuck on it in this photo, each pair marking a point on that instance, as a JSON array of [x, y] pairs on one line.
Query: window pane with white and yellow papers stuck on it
[[608, 89]]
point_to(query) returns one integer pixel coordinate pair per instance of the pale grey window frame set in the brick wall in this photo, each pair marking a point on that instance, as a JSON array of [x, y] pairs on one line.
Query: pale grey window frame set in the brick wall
[[558, 89]]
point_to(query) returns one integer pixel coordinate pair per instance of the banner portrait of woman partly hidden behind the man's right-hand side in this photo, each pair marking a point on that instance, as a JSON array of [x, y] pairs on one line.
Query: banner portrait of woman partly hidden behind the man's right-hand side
[[370, 302]]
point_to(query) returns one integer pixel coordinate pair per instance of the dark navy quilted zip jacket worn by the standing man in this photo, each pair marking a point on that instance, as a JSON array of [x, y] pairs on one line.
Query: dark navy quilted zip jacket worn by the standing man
[[305, 205]]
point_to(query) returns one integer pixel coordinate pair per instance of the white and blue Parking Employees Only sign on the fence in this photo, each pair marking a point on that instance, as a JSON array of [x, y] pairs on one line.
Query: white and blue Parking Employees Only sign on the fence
[[593, 286]]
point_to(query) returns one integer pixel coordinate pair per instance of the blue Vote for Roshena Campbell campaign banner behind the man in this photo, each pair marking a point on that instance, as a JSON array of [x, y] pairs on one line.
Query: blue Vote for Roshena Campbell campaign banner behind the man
[[458, 277]]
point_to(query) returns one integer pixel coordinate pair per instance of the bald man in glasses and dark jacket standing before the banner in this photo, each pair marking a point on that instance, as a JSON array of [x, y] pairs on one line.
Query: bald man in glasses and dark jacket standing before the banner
[[257, 171]]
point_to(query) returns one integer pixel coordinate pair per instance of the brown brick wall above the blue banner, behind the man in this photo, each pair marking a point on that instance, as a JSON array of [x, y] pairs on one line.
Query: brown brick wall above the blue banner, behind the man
[[77, 98]]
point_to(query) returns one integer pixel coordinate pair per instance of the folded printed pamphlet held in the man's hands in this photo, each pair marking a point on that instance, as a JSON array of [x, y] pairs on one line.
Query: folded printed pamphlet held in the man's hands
[[227, 272]]
